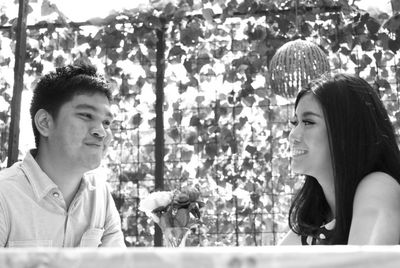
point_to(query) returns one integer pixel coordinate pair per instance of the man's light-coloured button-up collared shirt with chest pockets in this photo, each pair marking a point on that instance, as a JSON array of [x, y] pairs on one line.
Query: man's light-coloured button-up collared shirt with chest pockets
[[33, 212]]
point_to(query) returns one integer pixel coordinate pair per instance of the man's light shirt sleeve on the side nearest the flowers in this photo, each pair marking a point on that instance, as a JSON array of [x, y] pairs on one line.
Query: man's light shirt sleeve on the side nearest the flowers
[[113, 236]]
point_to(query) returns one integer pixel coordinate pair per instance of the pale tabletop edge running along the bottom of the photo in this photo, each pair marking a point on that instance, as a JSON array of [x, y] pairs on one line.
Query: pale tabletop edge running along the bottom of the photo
[[207, 257]]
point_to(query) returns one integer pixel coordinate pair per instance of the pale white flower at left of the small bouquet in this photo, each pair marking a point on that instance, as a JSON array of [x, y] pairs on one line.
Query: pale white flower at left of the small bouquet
[[155, 200]]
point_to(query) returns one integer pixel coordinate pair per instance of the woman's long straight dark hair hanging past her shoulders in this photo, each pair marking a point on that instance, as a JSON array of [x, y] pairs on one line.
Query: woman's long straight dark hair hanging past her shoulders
[[362, 141]]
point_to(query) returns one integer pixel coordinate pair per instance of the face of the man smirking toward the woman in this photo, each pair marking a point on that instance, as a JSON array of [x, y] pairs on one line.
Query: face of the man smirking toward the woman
[[81, 132]]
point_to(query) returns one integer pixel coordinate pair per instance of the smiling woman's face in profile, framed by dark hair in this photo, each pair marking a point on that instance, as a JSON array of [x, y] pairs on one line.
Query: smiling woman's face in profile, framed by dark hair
[[309, 139]]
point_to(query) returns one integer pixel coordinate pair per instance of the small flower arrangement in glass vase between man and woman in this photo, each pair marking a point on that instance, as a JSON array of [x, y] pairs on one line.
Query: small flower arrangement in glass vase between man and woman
[[172, 211]]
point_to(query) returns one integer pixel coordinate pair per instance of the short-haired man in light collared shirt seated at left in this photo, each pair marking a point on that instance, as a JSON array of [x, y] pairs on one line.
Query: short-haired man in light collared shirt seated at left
[[50, 198]]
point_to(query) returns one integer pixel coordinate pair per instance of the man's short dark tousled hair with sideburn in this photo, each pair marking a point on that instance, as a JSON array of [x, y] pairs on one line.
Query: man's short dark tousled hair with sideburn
[[56, 88]]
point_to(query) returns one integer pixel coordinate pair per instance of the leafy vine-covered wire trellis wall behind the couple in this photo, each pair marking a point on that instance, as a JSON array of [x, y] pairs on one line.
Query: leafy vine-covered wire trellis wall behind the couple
[[225, 131]]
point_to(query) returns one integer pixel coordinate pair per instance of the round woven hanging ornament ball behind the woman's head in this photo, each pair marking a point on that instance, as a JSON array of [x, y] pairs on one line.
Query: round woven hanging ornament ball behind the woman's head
[[294, 65]]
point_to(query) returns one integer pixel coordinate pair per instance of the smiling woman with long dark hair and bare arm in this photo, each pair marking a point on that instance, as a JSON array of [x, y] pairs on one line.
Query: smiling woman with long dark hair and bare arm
[[343, 142]]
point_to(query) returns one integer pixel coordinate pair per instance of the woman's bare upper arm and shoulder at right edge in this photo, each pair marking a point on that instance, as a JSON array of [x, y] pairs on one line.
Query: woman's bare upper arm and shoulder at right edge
[[376, 211]]
